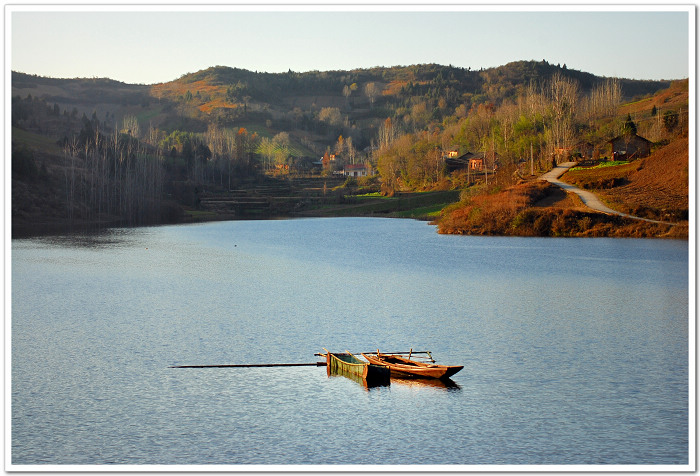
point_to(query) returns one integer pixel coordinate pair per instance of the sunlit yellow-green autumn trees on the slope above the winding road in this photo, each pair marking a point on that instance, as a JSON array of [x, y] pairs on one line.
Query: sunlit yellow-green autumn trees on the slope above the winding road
[[545, 118]]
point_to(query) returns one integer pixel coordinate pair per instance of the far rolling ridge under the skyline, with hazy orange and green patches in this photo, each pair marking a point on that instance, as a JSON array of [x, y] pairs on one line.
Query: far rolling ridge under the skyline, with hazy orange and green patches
[[269, 103]]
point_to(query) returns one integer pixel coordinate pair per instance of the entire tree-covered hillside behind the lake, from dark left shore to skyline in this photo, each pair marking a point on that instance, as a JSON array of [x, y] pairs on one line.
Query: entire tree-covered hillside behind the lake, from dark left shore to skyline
[[101, 150]]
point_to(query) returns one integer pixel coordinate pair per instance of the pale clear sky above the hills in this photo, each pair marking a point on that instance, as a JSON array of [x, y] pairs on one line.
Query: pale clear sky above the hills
[[149, 45]]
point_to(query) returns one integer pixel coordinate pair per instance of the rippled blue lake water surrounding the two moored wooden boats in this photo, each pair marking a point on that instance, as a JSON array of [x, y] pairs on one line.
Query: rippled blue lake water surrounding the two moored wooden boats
[[576, 351]]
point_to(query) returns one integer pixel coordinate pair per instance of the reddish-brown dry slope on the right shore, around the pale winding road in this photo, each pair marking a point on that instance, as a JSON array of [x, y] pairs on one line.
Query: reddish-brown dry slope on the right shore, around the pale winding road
[[655, 188]]
